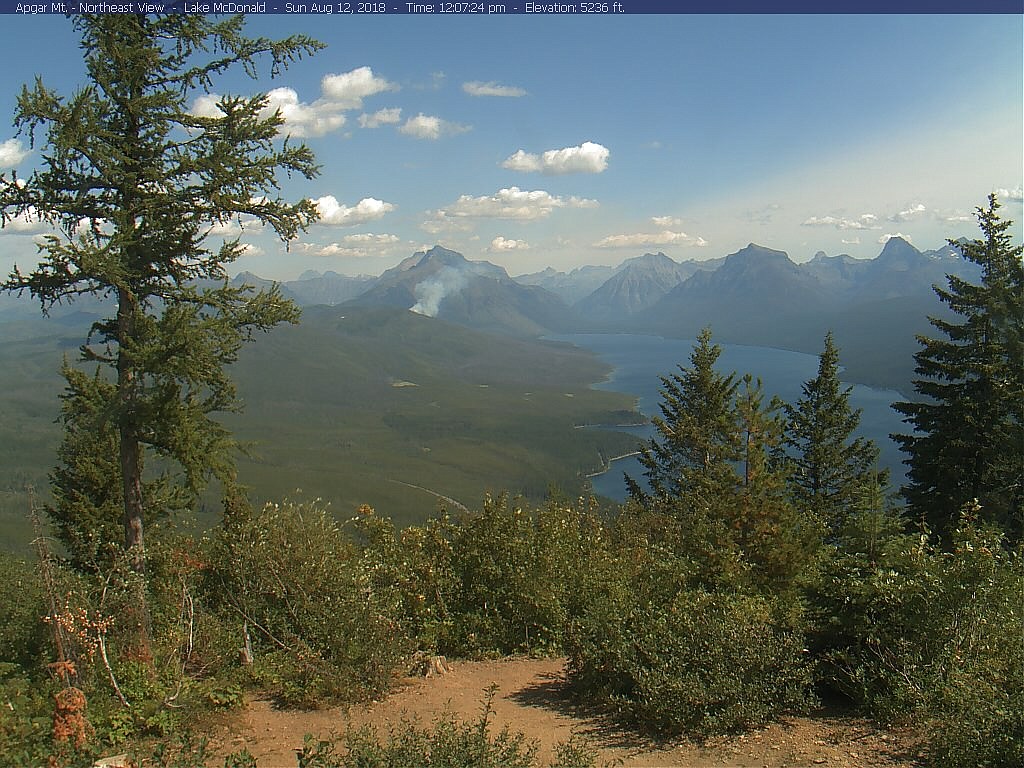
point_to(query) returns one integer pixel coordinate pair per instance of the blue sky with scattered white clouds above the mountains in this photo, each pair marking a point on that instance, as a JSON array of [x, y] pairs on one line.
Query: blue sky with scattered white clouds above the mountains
[[542, 141]]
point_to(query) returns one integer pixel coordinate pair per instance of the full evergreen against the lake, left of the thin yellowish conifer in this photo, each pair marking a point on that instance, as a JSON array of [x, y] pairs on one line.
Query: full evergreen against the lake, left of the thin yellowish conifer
[[692, 457]]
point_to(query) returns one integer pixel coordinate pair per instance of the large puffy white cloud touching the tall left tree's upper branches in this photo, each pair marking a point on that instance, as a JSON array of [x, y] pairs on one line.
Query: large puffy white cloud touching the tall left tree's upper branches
[[339, 94]]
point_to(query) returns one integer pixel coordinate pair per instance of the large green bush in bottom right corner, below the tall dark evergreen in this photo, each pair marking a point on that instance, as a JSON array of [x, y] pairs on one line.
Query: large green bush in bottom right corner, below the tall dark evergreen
[[909, 629]]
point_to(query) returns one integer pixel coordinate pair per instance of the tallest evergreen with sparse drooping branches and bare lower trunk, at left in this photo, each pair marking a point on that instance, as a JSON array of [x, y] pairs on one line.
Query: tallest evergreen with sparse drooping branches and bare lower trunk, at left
[[134, 184]]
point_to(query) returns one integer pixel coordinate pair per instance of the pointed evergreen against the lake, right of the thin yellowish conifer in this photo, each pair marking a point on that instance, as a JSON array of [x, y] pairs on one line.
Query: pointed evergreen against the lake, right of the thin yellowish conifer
[[833, 472]]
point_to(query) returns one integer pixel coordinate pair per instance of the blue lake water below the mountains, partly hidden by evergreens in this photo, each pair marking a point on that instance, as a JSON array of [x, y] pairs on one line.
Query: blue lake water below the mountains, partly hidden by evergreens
[[639, 361]]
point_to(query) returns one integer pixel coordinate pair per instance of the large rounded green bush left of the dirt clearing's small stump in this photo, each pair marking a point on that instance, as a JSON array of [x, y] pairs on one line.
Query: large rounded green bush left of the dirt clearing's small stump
[[323, 624]]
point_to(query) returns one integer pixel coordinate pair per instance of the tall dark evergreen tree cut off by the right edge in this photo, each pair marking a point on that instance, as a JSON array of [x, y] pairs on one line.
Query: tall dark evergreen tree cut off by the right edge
[[969, 424]]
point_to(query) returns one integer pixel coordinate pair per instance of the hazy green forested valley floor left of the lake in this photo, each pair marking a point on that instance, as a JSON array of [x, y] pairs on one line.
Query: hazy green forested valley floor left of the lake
[[360, 406]]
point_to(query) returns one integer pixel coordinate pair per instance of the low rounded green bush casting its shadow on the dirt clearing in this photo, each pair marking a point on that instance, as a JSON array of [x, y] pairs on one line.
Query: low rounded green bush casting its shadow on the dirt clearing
[[702, 664]]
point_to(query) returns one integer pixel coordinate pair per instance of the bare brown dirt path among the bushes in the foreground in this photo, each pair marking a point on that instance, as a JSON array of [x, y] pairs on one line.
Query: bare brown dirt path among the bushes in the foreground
[[531, 699]]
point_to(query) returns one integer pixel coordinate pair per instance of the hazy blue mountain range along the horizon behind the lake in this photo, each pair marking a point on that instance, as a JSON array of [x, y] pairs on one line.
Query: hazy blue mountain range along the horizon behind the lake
[[756, 296]]
